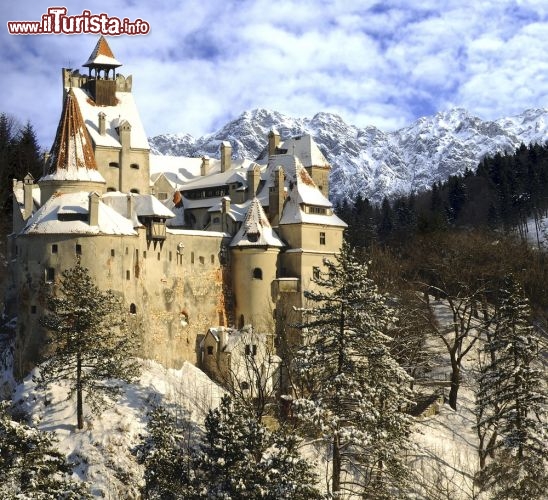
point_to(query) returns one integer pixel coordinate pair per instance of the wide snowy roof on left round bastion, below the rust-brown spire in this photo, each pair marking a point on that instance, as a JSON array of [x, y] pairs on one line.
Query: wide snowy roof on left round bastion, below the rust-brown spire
[[46, 219]]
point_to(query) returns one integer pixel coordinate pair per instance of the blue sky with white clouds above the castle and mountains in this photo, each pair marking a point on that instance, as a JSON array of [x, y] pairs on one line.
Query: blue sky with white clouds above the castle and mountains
[[375, 63]]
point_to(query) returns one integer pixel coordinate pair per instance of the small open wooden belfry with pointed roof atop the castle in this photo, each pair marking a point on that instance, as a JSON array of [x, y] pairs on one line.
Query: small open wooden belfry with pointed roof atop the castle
[[102, 74]]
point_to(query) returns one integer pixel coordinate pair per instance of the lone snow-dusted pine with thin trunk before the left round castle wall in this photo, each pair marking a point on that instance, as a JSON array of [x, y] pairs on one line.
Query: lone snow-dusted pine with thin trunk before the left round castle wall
[[88, 344]]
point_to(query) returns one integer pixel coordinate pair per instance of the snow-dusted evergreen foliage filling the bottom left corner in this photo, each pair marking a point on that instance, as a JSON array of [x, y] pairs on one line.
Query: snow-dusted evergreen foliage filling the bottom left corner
[[31, 467]]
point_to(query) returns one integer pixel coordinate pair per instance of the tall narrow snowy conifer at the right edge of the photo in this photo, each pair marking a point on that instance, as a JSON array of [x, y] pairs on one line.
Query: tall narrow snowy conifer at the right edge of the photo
[[512, 400]]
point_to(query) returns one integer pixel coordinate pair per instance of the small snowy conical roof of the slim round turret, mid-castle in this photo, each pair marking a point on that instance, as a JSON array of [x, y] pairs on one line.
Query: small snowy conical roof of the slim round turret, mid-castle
[[256, 230]]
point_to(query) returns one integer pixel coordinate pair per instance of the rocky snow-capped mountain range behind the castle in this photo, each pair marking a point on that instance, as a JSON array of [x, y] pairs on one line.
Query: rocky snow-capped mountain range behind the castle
[[371, 162]]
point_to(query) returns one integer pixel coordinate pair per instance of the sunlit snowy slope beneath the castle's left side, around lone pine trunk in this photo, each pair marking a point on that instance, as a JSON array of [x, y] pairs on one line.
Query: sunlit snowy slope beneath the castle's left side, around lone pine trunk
[[102, 451]]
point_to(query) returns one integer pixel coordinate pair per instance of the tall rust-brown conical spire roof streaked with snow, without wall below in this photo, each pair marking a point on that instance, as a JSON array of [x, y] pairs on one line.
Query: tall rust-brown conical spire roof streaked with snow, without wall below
[[71, 156]]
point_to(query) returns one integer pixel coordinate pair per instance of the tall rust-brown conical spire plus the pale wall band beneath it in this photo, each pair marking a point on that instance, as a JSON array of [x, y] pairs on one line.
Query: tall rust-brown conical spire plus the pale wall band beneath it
[[71, 165]]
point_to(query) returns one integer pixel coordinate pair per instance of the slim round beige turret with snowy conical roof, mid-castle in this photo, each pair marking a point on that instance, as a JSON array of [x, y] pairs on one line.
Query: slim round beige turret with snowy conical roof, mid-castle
[[254, 250]]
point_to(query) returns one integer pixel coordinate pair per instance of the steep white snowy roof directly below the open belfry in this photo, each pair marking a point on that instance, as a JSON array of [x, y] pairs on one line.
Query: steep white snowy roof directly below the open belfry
[[125, 109]]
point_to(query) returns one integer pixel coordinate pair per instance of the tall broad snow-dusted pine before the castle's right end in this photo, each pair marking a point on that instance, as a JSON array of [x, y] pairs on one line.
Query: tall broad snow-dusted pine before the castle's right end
[[352, 391]]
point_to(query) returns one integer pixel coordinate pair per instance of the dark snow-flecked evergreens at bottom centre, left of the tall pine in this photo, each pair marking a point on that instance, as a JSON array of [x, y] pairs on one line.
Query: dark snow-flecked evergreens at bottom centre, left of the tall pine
[[240, 459]]
